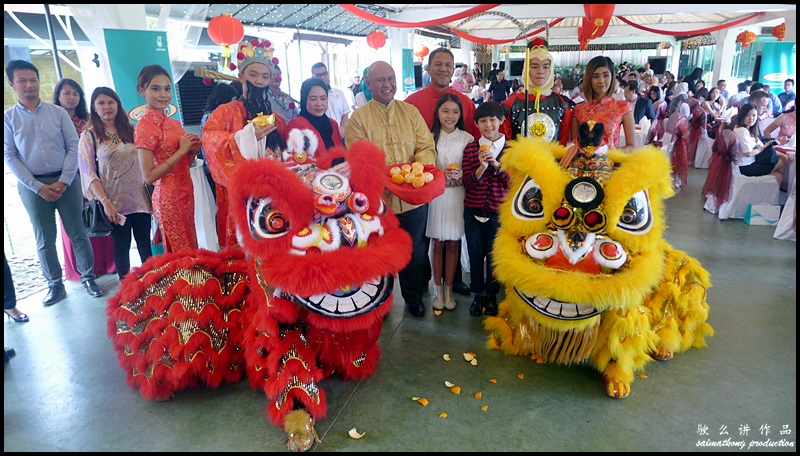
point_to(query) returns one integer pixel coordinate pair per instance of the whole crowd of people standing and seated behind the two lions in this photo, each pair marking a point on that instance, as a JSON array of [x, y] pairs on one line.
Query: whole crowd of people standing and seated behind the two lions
[[66, 152]]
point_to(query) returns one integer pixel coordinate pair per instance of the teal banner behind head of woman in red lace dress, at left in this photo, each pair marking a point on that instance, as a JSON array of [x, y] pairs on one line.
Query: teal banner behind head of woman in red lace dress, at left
[[128, 52]]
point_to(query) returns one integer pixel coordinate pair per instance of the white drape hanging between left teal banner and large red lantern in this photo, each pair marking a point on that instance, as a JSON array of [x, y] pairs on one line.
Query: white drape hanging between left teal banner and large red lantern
[[177, 20]]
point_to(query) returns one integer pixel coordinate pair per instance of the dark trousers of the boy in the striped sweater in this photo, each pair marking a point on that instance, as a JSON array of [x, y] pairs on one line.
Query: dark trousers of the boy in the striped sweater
[[480, 240]]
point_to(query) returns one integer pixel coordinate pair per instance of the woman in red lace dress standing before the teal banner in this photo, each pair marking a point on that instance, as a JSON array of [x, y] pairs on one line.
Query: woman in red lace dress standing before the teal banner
[[166, 153]]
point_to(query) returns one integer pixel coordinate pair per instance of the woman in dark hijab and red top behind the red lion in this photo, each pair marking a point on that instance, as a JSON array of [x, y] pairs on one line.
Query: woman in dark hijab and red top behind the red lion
[[313, 105]]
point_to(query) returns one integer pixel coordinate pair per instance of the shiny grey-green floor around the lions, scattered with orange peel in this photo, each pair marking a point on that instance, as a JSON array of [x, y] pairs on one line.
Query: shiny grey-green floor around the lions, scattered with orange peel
[[64, 391]]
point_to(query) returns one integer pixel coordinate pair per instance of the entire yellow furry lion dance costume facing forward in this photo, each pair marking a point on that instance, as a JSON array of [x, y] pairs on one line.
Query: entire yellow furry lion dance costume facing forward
[[588, 274]]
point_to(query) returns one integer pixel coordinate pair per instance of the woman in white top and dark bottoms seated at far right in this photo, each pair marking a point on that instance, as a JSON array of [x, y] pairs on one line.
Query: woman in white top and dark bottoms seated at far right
[[756, 157]]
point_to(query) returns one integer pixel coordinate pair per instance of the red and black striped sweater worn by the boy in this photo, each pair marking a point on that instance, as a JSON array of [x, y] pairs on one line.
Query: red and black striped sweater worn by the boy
[[484, 194]]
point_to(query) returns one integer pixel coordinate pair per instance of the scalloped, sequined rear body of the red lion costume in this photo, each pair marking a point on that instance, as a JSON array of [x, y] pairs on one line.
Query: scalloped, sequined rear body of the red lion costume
[[176, 321]]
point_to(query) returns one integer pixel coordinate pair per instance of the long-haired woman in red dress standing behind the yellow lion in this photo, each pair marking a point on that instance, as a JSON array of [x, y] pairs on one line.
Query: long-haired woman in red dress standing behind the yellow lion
[[599, 86]]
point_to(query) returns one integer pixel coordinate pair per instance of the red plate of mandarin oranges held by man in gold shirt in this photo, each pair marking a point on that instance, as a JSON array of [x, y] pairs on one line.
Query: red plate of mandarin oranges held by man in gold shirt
[[415, 183]]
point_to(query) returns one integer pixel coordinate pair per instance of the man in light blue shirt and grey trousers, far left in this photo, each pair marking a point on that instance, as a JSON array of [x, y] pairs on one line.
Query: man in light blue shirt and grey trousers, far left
[[41, 149]]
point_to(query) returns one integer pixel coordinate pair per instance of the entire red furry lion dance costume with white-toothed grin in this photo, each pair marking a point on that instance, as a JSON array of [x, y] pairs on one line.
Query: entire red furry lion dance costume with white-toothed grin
[[304, 298]]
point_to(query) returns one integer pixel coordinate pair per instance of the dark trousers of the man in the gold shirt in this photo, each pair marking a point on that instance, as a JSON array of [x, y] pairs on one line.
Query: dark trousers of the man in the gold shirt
[[412, 277]]
